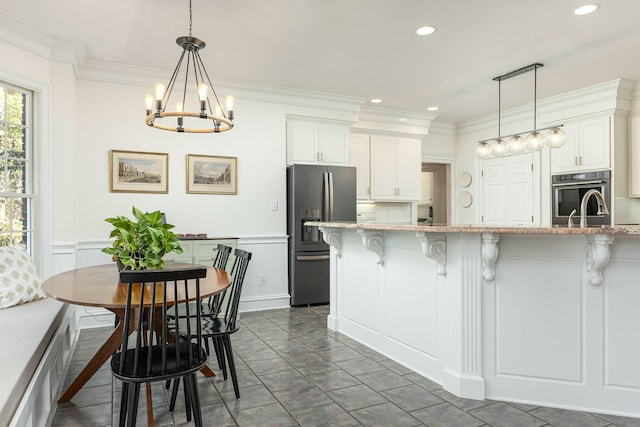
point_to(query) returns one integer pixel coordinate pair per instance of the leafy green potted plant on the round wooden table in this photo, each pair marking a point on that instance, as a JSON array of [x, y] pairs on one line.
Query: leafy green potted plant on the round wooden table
[[140, 244]]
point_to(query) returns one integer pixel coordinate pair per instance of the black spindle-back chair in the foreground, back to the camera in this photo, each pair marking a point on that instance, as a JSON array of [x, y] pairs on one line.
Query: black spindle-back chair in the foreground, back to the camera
[[151, 353]]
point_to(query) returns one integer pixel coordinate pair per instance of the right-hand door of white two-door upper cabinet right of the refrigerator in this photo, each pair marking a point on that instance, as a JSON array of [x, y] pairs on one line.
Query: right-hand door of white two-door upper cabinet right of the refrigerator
[[408, 168]]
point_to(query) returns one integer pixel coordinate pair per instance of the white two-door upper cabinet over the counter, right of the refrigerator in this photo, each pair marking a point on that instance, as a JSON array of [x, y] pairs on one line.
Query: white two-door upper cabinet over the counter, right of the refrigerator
[[395, 168]]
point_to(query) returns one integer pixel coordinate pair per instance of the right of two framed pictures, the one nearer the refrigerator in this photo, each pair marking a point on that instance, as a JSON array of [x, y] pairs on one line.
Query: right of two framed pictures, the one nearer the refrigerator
[[212, 174]]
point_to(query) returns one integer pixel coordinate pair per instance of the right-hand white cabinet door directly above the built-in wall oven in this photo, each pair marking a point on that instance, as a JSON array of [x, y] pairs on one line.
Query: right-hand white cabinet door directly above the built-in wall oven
[[595, 143]]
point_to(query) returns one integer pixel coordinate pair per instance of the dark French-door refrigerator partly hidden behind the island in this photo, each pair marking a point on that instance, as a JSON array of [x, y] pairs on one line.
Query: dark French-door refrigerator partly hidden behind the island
[[315, 193]]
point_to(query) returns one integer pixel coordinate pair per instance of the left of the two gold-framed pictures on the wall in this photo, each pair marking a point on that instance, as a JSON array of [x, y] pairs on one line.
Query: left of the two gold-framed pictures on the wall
[[138, 172]]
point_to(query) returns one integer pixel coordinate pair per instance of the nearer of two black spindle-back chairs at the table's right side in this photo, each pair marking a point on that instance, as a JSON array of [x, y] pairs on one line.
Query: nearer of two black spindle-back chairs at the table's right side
[[220, 321]]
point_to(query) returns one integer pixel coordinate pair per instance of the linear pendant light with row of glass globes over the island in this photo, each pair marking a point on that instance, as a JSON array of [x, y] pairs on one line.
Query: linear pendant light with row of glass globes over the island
[[516, 144]]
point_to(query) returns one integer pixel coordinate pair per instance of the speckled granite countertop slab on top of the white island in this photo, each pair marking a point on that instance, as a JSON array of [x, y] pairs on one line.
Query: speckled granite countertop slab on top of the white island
[[468, 228]]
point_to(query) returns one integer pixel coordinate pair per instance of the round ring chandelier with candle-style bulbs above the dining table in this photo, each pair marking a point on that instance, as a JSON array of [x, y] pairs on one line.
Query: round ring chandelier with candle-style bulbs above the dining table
[[211, 116]]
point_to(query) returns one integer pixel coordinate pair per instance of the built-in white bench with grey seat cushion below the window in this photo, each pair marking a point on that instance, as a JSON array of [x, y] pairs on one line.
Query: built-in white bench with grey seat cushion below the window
[[36, 344]]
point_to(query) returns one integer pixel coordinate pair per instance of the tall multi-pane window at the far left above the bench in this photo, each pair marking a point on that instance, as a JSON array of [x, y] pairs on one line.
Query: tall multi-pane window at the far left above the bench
[[16, 166]]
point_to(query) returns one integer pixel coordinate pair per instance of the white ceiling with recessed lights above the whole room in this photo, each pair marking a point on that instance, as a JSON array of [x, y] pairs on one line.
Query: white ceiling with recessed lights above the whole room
[[366, 48]]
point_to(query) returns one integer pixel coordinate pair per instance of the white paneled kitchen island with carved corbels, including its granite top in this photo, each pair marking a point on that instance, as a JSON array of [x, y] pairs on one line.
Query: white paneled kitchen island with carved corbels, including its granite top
[[538, 316]]
